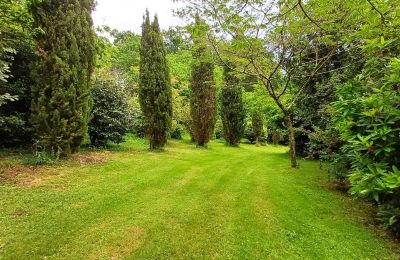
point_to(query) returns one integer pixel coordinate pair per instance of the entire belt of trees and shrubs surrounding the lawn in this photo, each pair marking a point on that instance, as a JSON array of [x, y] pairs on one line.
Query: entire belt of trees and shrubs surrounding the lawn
[[322, 77]]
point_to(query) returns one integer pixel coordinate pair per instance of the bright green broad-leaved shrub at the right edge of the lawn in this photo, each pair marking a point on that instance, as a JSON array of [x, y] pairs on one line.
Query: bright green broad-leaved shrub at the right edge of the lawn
[[368, 117]]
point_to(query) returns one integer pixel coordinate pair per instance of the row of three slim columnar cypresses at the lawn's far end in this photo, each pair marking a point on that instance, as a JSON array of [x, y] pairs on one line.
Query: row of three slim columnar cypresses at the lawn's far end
[[155, 93]]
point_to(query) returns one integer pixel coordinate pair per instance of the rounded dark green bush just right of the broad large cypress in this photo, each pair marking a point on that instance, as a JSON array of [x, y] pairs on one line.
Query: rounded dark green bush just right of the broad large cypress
[[111, 116]]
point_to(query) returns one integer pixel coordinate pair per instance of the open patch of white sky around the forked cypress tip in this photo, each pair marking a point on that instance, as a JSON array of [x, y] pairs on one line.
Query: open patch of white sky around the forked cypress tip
[[128, 14]]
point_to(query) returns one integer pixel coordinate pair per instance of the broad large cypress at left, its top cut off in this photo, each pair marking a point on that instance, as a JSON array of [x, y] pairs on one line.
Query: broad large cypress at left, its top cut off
[[61, 95]]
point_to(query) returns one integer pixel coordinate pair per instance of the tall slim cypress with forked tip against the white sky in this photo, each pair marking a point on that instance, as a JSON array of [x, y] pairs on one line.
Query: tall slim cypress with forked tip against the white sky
[[155, 93]]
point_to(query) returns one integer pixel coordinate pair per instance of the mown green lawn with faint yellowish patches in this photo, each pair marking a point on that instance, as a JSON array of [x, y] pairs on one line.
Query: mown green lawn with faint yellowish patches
[[184, 202]]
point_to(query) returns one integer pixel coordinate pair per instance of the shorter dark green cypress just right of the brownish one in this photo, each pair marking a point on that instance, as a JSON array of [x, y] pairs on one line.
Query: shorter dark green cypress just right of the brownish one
[[232, 109]]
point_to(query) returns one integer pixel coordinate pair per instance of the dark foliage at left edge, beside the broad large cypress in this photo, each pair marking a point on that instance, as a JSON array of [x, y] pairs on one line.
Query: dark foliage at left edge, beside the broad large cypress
[[16, 53]]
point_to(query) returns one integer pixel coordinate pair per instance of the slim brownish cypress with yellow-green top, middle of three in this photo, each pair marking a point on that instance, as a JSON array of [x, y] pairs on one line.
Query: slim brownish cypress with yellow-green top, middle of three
[[202, 86]]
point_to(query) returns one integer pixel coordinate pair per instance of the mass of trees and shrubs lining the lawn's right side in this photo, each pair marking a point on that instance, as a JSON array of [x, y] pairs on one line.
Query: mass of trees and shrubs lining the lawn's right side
[[332, 69]]
